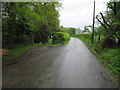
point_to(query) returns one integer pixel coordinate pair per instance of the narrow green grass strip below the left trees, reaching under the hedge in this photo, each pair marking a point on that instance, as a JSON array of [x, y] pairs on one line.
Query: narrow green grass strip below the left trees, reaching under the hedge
[[18, 50]]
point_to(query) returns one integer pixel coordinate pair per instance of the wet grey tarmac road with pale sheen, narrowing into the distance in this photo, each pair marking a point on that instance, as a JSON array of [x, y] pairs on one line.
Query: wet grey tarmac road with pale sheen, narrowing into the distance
[[69, 66]]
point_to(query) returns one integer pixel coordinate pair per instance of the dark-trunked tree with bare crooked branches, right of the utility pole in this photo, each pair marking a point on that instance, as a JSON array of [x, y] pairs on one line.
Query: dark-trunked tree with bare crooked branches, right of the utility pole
[[111, 22]]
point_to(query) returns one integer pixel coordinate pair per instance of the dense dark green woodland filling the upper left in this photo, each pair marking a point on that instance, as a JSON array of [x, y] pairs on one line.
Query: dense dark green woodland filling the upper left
[[28, 22]]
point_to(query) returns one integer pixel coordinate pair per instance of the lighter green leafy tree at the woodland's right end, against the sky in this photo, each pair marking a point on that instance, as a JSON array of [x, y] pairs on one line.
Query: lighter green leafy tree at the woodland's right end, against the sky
[[49, 20]]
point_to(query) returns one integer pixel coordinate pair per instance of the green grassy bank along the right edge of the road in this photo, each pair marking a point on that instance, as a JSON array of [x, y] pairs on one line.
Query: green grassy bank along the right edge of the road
[[107, 56]]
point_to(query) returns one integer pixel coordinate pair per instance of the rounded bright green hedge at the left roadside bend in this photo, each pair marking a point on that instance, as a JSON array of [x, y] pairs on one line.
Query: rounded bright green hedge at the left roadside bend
[[60, 37]]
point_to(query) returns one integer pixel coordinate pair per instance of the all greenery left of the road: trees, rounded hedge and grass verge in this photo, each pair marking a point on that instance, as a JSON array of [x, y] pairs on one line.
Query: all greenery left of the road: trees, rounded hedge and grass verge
[[29, 24]]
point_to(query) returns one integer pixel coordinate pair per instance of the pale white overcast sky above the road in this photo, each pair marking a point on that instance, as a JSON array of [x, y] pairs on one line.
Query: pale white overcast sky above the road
[[78, 13]]
